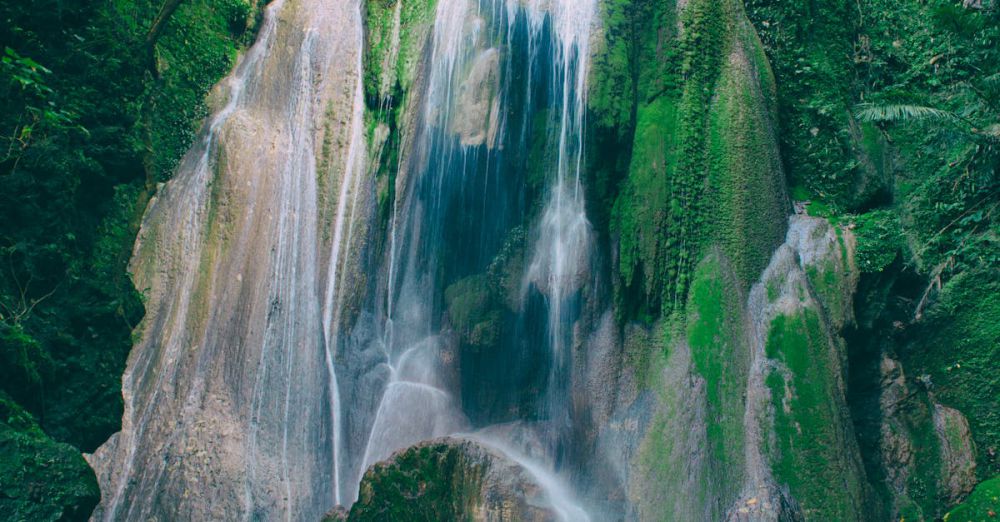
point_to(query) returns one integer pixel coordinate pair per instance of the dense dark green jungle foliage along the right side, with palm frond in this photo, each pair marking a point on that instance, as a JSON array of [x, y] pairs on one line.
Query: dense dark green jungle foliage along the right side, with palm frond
[[887, 114]]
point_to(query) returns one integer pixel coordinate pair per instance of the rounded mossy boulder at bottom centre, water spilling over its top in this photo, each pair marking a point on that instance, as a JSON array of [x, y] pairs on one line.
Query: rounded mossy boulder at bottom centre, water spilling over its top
[[450, 479]]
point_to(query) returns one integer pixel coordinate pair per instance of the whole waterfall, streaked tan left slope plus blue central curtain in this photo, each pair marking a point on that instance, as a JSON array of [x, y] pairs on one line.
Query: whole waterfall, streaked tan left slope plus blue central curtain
[[265, 369]]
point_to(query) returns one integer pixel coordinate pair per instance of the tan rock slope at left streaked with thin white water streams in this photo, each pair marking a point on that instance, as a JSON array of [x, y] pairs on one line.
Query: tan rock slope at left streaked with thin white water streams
[[231, 401]]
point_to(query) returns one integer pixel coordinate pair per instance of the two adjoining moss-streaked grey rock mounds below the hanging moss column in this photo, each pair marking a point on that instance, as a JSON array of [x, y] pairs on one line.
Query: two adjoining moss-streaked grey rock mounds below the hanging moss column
[[747, 413]]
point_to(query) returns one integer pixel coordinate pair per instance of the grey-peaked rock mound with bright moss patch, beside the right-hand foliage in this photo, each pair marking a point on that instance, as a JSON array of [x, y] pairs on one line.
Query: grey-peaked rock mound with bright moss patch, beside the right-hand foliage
[[798, 419]]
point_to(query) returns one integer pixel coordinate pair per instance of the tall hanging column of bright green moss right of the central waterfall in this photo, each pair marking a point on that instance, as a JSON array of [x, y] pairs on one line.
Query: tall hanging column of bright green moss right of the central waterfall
[[704, 168]]
